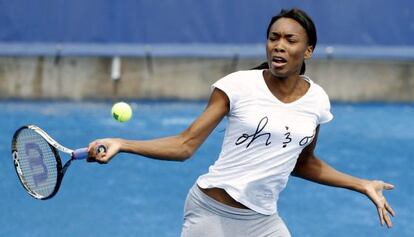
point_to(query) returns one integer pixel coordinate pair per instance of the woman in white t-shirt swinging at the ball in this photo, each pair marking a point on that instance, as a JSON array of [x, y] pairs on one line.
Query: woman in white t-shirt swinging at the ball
[[274, 113]]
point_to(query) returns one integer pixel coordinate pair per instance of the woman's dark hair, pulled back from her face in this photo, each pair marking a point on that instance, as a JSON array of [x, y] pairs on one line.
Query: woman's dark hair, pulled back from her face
[[304, 20]]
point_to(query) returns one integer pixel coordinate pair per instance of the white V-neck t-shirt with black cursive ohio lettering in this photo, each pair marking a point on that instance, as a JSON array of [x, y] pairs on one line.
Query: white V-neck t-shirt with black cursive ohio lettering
[[263, 139]]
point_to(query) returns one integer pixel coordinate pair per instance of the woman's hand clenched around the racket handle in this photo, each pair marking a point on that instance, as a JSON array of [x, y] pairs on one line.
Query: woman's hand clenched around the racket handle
[[113, 146]]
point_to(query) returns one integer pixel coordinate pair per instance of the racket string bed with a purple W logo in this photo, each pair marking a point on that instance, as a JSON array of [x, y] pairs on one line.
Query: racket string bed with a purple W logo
[[37, 163]]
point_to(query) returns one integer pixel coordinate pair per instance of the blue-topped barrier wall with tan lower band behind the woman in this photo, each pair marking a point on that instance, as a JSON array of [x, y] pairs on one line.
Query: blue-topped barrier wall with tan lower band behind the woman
[[46, 46]]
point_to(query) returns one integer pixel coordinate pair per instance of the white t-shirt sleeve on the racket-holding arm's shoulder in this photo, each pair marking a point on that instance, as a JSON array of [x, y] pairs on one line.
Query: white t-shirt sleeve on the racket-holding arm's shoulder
[[229, 85]]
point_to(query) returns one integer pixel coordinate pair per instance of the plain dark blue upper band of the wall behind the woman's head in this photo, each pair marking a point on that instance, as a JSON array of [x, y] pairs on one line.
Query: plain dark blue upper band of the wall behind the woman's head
[[234, 22]]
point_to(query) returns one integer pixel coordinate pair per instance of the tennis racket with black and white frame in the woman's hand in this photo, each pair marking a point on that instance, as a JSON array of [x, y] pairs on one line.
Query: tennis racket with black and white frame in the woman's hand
[[37, 161]]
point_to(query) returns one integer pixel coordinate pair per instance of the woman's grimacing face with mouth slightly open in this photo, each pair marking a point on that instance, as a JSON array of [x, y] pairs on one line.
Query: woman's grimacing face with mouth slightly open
[[287, 47]]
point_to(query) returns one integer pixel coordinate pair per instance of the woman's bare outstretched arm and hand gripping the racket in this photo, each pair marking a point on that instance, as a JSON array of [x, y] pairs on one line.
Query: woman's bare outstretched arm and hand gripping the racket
[[173, 148]]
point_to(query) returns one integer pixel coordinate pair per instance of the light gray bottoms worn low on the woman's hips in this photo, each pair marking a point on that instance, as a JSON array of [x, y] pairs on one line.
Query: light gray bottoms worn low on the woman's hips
[[206, 217]]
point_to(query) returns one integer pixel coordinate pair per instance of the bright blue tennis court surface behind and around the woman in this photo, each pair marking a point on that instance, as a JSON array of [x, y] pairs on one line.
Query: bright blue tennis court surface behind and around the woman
[[133, 196]]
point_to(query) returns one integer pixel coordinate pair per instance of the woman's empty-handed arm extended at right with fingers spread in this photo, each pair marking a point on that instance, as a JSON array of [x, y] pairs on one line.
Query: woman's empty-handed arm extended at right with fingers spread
[[311, 168]]
